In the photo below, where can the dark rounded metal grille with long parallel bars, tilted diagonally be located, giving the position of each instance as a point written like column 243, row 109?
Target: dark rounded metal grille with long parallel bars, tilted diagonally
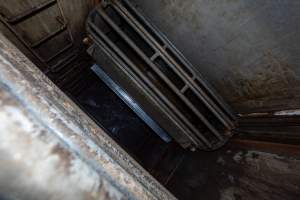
column 166, row 77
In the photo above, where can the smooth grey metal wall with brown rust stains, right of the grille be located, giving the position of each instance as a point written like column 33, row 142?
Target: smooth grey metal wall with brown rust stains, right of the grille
column 248, row 50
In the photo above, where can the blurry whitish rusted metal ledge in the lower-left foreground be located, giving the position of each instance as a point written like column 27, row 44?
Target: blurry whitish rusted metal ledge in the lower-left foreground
column 50, row 149
